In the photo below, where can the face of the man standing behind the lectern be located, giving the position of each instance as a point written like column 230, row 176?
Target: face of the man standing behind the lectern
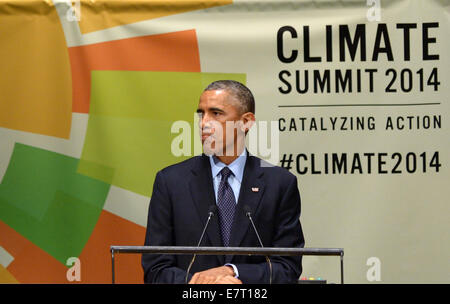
column 215, row 109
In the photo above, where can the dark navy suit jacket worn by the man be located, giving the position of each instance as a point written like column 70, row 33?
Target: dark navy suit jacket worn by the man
column 182, row 194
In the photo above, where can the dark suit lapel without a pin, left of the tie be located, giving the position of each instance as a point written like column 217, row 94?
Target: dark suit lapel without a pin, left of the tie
column 202, row 192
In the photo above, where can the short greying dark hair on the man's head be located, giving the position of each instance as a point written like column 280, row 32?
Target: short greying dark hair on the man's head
column 240, row 92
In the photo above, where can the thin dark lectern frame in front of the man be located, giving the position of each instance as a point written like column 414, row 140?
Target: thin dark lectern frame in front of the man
column 266, row 251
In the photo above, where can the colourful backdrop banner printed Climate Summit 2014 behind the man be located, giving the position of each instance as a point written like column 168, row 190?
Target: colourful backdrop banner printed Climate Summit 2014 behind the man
column 351, row 97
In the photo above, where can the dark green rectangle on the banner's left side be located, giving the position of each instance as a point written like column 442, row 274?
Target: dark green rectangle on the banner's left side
column 44, row 199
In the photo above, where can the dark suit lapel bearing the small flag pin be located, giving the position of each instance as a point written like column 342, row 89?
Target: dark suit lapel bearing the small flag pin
column 252, row 189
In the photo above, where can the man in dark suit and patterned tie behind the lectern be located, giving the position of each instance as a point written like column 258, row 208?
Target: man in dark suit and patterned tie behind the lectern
column 227, row 176
